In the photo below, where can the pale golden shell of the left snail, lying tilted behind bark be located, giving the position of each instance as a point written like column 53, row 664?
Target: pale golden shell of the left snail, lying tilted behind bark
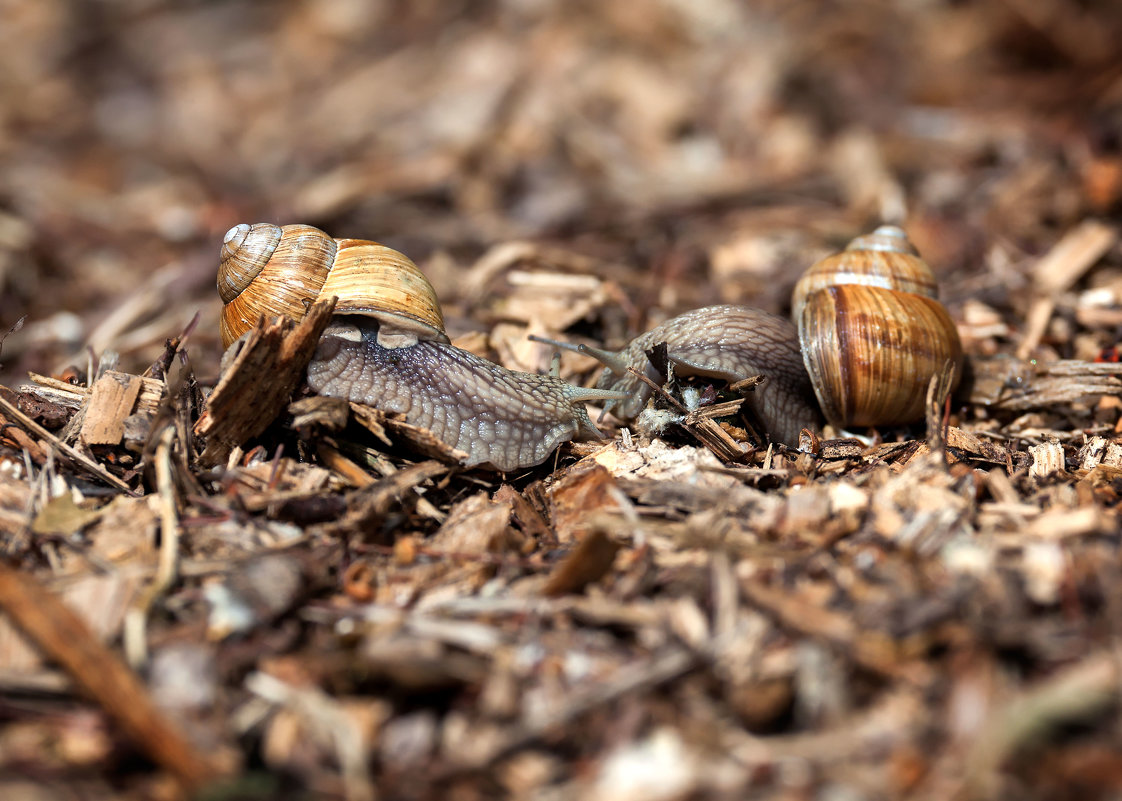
column 280, row 271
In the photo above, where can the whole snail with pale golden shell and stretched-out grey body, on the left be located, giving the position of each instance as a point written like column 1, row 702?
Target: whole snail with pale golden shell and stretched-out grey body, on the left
column 387, row 345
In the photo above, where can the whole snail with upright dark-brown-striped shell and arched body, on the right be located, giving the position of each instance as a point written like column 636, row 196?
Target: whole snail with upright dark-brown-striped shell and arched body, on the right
column 870, row 336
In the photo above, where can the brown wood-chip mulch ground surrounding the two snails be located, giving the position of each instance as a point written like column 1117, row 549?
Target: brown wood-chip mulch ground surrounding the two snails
column 299, row 600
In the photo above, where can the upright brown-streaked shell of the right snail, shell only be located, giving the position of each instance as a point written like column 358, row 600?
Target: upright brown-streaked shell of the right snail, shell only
column 872, row 332
